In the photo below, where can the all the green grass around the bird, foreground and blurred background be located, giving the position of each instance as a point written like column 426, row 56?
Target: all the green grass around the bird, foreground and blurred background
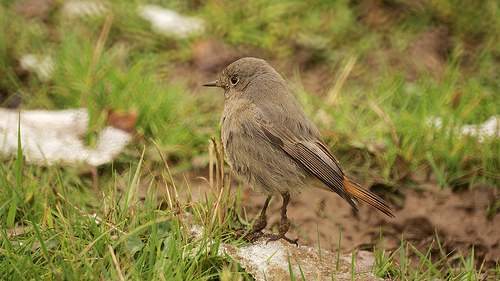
column 115, row 60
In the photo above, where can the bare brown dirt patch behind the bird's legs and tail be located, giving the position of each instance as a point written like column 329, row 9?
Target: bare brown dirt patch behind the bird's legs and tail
column 458, row 219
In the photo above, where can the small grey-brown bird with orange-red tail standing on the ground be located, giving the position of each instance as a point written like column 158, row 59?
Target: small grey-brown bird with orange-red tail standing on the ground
column 272, row 145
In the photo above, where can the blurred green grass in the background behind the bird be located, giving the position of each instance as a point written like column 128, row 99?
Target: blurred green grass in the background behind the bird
column 115, row 61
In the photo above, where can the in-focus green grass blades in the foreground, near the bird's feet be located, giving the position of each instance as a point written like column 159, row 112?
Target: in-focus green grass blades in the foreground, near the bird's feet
column 57, row 235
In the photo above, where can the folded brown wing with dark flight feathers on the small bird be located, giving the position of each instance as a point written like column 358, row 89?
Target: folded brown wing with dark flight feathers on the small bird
column 313, row 155
